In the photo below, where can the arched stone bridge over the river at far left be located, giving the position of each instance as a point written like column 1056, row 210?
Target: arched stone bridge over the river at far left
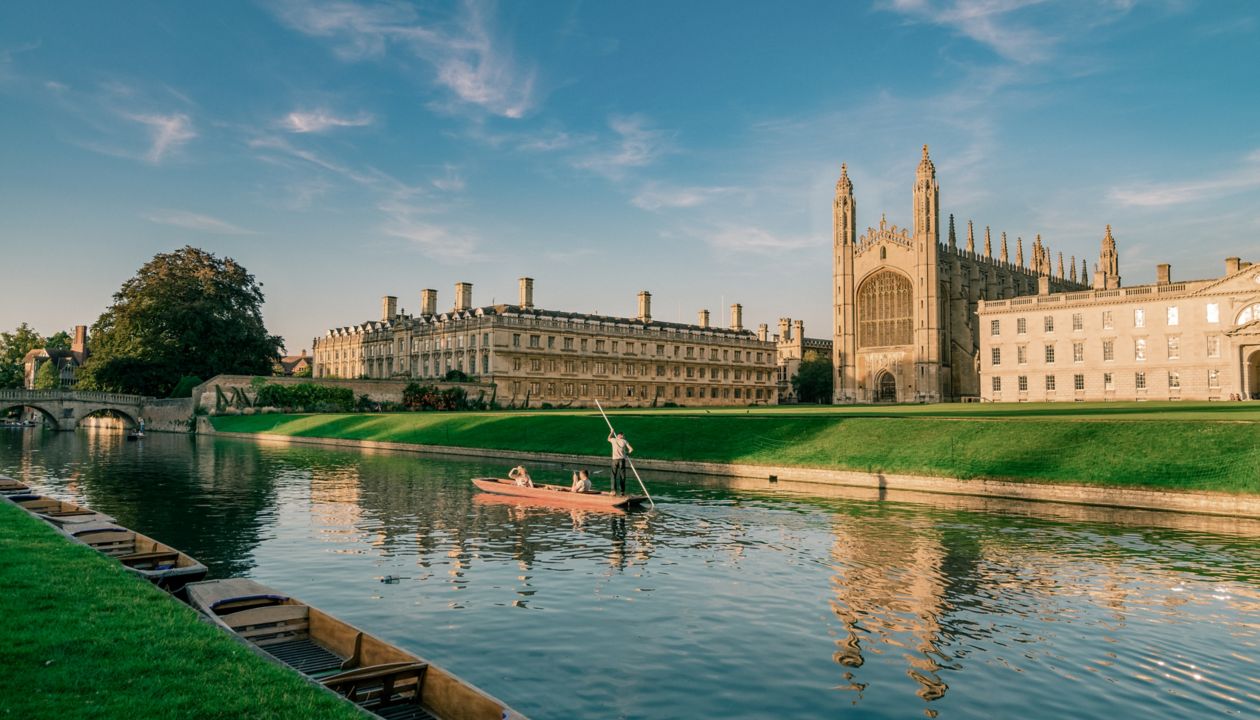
column 66, row 409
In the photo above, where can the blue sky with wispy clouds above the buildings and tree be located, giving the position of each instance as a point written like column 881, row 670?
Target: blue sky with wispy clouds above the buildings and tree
column 348, row 151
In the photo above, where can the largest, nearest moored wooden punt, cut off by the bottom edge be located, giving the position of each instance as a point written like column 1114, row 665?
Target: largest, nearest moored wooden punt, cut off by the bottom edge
column 372, row 674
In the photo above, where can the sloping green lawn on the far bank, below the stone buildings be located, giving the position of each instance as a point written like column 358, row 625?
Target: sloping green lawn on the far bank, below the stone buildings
column 1185, row 447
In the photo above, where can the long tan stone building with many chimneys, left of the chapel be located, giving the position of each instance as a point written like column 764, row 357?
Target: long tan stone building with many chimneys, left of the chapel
column 536, row 356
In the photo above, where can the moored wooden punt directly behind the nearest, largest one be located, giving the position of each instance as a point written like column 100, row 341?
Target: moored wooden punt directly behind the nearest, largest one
column 161, row 564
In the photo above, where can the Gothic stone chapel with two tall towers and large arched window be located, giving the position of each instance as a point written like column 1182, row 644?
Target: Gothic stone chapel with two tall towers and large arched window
column 905, row 303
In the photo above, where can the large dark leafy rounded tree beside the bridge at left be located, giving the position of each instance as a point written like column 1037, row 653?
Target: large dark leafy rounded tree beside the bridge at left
column 186, row 313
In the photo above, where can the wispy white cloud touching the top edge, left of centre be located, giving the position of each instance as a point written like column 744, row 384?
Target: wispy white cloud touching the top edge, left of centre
column 466, row 56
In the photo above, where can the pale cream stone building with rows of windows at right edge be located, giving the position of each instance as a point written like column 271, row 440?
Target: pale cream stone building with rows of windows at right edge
column 1198, row 340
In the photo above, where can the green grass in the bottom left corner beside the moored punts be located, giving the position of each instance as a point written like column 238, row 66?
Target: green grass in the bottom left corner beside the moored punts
column 85, row 639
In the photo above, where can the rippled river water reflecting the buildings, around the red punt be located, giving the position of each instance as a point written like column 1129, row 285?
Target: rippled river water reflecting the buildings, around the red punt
column 731, row 600
